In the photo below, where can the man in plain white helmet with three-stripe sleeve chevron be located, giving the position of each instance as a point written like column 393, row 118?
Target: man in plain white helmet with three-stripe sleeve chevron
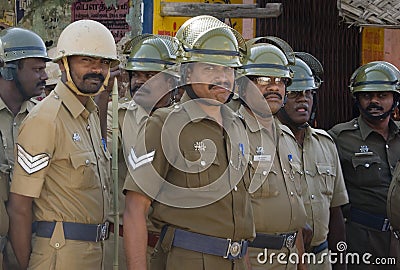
column 62, row 169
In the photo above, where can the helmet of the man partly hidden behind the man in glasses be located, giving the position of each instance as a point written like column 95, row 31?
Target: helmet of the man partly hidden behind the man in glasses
column 308, row 72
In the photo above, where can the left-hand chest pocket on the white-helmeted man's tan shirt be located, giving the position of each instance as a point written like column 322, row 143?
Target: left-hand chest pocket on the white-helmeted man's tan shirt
column 85, row 165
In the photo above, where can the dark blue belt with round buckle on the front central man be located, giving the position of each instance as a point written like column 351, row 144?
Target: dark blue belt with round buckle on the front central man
column 225, row 248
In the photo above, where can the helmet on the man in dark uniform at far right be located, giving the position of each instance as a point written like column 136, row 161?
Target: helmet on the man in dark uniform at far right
column 375, row 76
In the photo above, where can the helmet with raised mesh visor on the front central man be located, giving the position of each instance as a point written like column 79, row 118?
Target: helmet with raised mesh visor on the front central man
column 207, row 39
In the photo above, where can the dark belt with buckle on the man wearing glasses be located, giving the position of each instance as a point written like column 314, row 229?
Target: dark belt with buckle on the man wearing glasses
column 271, row 241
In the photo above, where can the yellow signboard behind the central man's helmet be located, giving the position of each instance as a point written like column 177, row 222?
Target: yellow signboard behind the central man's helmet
column 169, row 25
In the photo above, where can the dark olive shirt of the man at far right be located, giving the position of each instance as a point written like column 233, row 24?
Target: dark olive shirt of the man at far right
column 368, row 161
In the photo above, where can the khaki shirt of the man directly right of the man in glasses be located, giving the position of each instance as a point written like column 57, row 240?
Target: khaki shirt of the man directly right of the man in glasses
column 323, row 184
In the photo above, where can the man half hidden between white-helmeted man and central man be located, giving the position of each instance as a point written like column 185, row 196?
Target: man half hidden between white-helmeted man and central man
column 149, row 55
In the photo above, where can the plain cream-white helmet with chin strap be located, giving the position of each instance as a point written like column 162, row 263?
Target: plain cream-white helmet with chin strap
column 86, row 38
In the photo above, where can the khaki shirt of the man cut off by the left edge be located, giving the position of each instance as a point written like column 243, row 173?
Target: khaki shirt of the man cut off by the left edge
column 9, row 126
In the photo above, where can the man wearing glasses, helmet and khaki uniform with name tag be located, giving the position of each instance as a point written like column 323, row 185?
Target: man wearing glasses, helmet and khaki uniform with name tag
column 275, row 164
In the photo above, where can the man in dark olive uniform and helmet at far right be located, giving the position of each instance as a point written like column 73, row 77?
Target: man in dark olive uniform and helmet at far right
column 369, row 148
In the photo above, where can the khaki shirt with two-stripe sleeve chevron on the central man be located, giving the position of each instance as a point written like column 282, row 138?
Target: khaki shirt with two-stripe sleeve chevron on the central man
column 192, row 151
